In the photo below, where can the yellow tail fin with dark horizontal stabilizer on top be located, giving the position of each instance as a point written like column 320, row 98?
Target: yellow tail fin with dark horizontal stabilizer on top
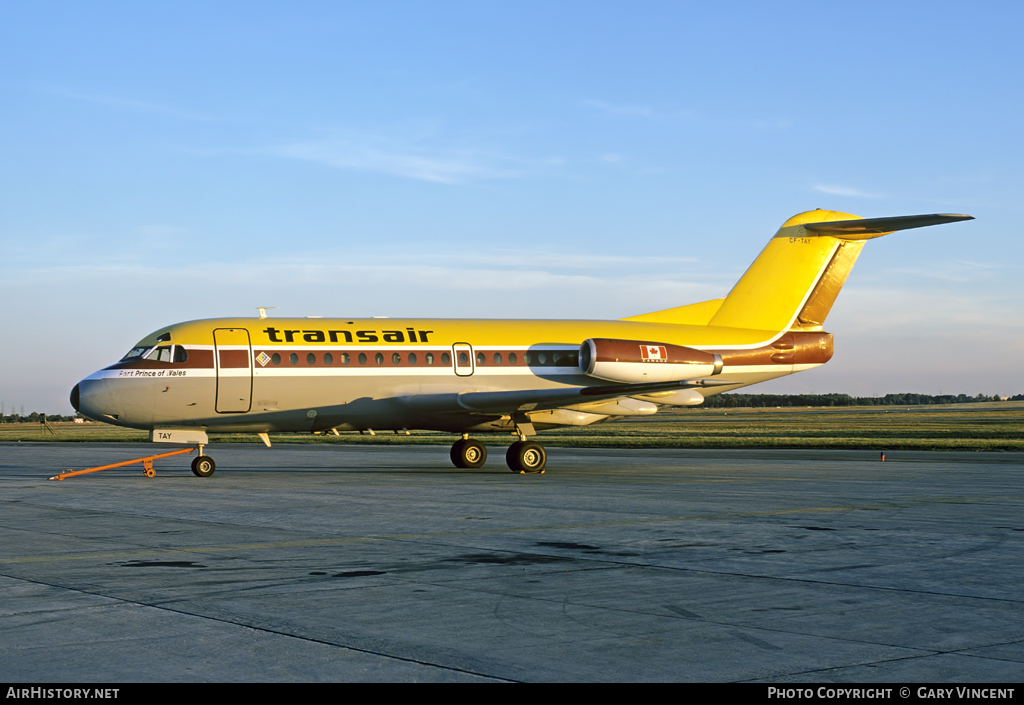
column 796, row 279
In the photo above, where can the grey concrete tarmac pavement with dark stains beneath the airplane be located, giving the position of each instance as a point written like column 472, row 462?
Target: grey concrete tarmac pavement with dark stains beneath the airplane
column 308, row 563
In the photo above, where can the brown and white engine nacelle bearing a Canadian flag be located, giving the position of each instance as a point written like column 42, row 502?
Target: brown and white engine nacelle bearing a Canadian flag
column 638, row 361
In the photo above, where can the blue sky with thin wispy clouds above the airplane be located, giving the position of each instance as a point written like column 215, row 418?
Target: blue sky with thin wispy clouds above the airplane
column 176, row 161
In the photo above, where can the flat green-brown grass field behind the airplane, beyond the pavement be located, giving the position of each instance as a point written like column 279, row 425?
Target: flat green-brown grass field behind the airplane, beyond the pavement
column 988, row 427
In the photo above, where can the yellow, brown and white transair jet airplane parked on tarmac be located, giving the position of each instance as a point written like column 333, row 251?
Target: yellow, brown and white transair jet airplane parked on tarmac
column 474, row 377
